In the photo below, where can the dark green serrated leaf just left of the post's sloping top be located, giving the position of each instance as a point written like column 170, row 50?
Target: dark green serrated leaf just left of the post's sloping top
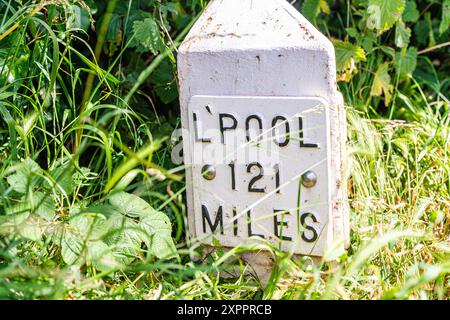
column 147, row 34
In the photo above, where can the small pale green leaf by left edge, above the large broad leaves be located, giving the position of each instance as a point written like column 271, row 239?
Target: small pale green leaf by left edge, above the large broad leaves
column 26, row 176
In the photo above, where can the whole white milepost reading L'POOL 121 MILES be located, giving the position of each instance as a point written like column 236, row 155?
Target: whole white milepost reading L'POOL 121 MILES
column 264, row 129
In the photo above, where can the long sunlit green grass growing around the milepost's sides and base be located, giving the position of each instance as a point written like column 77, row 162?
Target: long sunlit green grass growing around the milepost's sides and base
column 399, row 188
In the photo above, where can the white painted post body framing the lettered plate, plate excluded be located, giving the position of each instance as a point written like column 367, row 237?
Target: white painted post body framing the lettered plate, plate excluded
column 264, row 48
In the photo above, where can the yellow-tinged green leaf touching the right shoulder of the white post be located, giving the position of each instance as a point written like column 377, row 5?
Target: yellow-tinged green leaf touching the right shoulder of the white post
column 347, row 57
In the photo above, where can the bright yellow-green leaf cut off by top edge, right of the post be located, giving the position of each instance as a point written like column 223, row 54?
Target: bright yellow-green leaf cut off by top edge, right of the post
column 383, row 14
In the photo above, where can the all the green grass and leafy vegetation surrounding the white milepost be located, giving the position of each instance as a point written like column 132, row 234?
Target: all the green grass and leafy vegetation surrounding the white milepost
column 91, row 206
